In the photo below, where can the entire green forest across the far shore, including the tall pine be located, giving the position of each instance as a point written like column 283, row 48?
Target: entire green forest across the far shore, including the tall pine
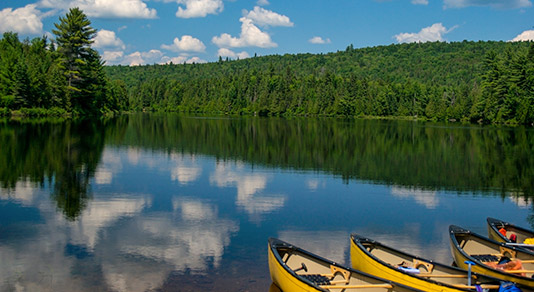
column 475, row 82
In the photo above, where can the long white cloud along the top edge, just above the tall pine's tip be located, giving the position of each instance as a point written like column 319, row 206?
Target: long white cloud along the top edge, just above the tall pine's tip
column 105, row 8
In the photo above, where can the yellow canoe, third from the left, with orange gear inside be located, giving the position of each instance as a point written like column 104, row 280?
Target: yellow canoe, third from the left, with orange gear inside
column 487, row 253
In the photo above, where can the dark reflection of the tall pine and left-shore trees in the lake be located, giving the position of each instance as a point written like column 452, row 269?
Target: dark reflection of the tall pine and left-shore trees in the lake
column 65, row 154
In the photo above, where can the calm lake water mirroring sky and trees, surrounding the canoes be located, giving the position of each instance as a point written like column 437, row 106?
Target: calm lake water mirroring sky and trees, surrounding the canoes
column 171, row 203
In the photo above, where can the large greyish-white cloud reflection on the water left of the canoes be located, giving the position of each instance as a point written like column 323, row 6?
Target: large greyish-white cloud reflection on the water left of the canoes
column 143, row 252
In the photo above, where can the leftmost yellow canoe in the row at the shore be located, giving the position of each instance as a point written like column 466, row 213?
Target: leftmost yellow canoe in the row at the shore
column 294, row 270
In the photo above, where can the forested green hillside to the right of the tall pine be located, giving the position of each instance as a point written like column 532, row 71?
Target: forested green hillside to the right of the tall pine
column 488, row 82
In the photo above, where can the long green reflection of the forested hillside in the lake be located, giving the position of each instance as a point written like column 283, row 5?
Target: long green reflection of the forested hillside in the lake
column 402, row 153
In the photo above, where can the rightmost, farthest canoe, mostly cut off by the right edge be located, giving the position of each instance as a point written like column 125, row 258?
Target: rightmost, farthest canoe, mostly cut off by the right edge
column 520, row 233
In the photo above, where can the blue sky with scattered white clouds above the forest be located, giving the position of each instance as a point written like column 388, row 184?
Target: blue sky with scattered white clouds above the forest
column 138, row 32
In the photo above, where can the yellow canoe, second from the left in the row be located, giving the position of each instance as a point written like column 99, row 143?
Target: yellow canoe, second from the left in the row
column 374, row 258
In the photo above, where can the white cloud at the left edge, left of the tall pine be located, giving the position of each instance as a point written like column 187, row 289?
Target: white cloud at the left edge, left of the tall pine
column 26, row 19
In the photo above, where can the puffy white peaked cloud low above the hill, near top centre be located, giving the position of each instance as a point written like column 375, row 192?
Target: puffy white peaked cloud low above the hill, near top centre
column 251, row 36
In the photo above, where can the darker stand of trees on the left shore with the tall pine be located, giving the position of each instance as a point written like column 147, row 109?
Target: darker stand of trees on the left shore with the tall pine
column 40, row 77
